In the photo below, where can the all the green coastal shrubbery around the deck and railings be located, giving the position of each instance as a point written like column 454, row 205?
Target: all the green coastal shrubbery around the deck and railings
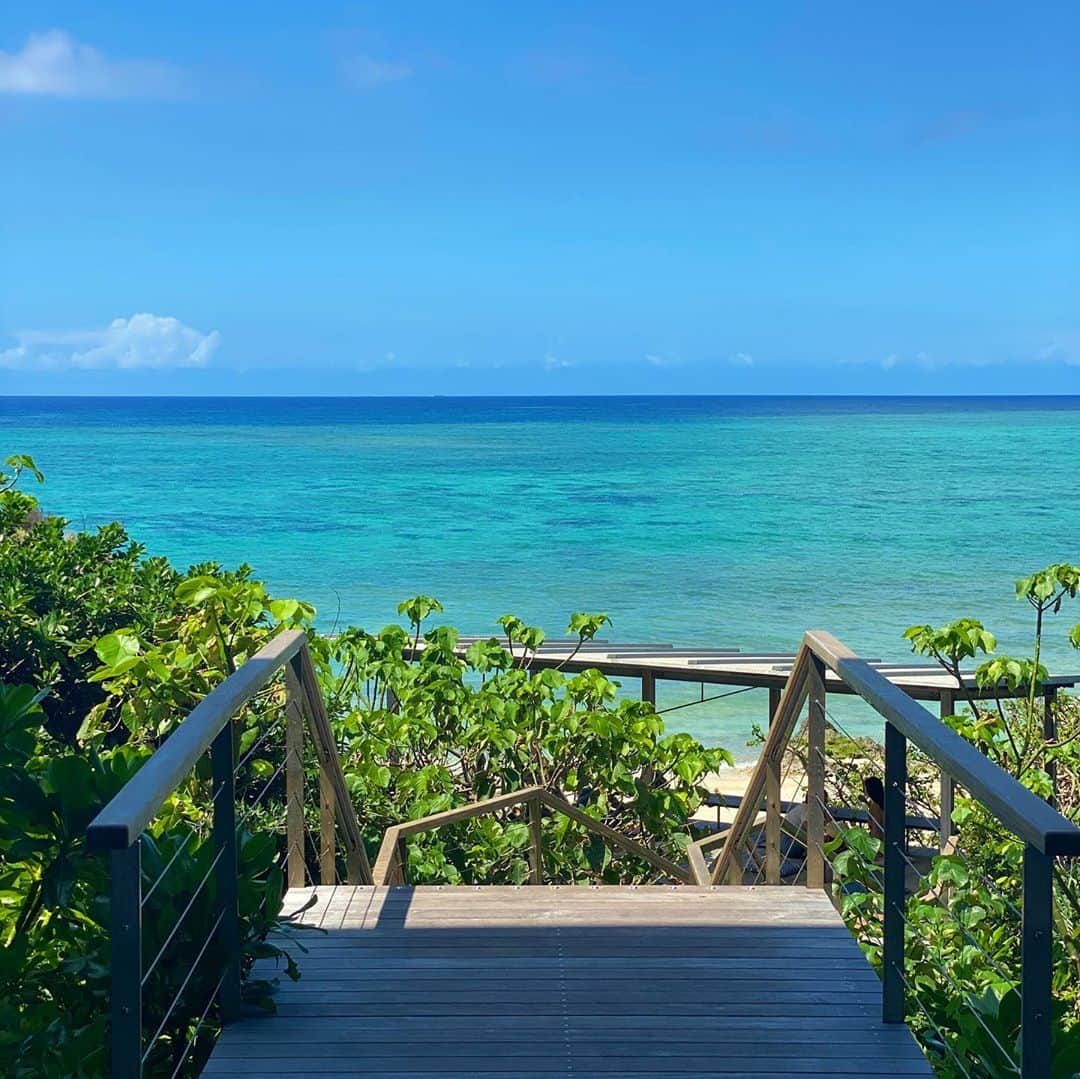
column 105, row 650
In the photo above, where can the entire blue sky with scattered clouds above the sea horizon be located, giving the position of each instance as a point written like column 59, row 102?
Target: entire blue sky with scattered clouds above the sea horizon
column 558, row 198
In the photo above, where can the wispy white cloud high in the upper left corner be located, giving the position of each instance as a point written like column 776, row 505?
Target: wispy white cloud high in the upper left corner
column 52, row 64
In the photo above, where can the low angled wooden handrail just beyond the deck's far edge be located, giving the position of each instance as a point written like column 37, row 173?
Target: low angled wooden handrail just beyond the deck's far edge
column 390, row 868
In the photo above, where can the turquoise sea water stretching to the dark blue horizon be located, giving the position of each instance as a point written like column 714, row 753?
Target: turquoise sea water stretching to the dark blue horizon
column 706, row 521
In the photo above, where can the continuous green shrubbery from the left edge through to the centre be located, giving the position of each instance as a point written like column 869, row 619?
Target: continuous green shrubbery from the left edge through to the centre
column 104, row 651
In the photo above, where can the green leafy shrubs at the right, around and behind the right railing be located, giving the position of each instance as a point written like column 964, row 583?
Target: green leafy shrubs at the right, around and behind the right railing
column 963, row 936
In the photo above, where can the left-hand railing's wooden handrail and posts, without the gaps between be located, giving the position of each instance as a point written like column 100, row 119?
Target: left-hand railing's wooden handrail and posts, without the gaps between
column 123, row 824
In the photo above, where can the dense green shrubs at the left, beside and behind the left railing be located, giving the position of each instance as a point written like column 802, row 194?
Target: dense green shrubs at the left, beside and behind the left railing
column 85, row 618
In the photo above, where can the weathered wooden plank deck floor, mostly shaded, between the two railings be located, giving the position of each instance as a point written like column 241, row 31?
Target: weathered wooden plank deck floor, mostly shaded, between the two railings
column 573, row 981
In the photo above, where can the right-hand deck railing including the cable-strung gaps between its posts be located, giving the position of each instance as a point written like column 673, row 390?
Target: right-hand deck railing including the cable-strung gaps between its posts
column 911, row 968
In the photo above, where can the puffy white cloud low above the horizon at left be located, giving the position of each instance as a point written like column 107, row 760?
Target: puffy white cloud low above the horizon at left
column 143, row 342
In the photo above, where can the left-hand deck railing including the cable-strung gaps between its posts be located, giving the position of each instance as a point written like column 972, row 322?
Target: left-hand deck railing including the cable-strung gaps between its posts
column 206, row 988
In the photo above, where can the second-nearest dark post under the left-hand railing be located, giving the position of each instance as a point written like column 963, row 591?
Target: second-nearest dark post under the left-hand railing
column 225, row 873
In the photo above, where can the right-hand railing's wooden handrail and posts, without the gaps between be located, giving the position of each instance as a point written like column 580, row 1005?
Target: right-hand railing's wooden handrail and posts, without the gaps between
column 1046, row 833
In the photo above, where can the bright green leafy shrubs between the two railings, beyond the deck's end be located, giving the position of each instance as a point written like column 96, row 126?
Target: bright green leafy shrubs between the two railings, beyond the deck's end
column 422, row 738
